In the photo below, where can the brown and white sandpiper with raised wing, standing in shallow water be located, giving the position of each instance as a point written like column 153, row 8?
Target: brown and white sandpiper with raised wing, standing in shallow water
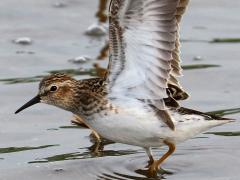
column 137, row 102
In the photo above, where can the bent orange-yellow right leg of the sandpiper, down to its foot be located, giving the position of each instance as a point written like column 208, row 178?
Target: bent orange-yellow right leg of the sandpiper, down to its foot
column 156, row 164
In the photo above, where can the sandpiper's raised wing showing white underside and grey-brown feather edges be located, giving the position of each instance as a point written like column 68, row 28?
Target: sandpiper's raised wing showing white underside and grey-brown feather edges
column 144, row 55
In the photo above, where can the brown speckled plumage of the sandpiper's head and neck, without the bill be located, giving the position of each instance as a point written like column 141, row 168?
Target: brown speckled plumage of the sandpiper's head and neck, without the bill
column 85, row 96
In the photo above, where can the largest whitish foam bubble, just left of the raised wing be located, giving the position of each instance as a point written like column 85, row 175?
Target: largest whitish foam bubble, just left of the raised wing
column 97, row 30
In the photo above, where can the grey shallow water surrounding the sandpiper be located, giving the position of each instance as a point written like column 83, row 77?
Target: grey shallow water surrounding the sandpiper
column 42, row 143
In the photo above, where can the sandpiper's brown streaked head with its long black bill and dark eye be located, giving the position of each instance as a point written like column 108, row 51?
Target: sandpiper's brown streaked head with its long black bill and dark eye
column 58, row 90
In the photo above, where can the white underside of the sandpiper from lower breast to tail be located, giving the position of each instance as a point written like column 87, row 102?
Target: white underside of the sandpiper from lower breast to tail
column 137, row 126
